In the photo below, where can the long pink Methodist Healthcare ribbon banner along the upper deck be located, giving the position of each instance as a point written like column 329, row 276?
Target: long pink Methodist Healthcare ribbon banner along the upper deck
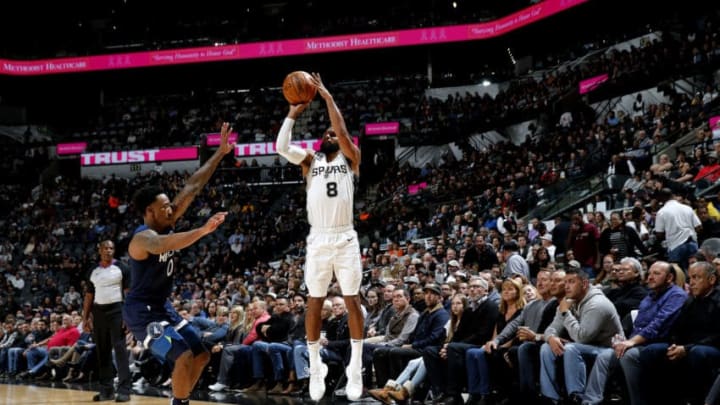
column 268, row 49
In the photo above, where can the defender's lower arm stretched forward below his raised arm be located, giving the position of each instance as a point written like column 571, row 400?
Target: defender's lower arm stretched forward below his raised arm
column 150, row 242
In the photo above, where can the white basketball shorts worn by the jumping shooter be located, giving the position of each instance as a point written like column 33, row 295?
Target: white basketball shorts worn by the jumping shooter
column 331, row 253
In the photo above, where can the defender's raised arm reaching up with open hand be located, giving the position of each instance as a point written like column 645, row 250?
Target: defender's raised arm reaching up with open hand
column 198, row 180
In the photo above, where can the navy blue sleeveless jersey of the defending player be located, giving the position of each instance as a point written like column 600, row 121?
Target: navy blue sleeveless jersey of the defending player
column 151, row 279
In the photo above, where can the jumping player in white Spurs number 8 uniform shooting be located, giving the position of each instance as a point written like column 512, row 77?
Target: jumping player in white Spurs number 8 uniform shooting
column 332, row 244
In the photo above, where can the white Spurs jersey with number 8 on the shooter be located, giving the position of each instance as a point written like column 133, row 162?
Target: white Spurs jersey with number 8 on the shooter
column 330, row 189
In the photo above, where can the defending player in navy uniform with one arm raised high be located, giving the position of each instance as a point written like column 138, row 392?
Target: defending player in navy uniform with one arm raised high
column 147, row 311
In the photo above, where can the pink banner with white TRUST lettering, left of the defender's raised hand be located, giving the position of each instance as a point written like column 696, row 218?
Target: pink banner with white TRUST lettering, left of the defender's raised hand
column 138, row 156
